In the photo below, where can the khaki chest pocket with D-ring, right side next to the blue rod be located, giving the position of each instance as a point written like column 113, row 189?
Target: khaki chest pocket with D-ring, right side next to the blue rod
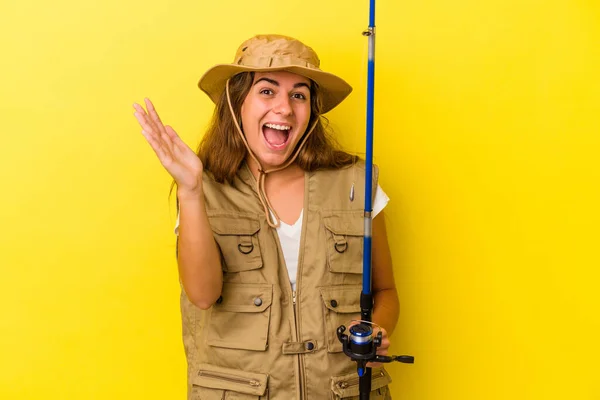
column 345, row 242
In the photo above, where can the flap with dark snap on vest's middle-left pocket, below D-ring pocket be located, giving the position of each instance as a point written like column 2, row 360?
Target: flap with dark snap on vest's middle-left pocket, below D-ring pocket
column 244, row 297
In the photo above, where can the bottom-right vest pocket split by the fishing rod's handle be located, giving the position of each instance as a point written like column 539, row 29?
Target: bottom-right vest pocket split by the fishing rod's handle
column 346, row 387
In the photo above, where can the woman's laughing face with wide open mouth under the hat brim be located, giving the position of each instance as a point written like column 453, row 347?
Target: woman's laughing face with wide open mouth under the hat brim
column 275, row 115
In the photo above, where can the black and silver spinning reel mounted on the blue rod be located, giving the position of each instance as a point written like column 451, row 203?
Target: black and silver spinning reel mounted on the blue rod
column 361, row 346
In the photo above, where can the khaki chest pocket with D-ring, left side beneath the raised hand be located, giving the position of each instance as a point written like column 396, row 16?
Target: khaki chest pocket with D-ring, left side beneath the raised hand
column 237, row 238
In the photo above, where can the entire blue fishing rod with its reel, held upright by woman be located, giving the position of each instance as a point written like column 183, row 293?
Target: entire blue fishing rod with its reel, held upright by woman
column 361, row 345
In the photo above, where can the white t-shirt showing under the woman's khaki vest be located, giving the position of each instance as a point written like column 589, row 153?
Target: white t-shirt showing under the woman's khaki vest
column 289, row 235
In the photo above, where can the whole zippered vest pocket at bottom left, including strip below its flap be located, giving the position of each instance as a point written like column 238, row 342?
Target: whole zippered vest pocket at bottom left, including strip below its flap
column 219, row 383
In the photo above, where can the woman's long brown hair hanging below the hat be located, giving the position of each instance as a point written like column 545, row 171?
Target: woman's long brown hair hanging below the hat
column 223, row 152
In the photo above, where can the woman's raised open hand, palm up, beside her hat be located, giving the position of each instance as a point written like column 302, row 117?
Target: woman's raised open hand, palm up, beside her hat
column 178, row 159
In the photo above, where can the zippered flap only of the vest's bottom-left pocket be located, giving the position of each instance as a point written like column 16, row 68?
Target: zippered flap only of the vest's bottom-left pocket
column 229, row 379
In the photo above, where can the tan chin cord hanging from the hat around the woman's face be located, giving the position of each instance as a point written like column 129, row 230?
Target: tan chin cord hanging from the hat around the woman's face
column 262, row 174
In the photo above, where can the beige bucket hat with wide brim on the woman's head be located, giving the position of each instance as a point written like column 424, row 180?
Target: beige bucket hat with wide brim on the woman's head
column 276, row 53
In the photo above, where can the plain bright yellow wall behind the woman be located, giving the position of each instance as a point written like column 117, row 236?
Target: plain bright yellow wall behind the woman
column 487, row 134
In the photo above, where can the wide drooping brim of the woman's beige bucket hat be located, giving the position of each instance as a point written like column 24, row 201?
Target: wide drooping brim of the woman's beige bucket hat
column 333, row 88
